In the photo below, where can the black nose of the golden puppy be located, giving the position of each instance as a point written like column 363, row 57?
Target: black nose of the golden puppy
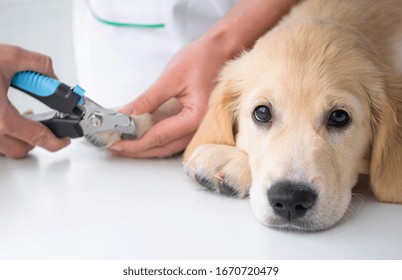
column 291, row 200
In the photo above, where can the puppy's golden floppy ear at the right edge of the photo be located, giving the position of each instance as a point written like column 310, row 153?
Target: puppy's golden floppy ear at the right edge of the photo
column 386, row 156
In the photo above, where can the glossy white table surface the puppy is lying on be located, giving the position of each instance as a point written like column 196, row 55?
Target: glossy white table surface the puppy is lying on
column 83, row 203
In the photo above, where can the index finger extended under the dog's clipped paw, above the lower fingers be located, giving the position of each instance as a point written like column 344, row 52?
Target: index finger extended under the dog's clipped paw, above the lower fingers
column 163, row 132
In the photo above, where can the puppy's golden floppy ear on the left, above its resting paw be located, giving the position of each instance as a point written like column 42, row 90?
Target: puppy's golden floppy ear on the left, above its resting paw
column 218, row 125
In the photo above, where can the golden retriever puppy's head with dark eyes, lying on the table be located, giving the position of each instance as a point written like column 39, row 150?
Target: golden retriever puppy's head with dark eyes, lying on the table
column 313, row 108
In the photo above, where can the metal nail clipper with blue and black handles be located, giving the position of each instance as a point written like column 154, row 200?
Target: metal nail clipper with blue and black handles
column 75, row 114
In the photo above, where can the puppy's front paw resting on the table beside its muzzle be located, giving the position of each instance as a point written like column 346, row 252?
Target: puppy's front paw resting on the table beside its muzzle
column 221, row 168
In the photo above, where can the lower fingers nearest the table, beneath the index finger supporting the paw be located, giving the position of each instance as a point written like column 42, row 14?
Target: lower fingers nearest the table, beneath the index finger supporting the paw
column 167, row 150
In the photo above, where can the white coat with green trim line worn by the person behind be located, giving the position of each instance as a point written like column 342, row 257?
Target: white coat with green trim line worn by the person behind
column 116, row 64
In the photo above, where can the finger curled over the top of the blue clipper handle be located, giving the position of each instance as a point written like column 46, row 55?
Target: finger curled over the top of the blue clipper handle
column 27, row 60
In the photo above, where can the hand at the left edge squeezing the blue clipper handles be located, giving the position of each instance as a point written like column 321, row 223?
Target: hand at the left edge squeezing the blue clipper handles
column 19, row 135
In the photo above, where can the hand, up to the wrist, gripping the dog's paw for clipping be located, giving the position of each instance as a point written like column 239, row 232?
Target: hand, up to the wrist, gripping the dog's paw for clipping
column 189, row 77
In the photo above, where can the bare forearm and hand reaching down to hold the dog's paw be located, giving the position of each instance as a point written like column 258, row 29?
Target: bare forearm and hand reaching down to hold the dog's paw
column 191, row 74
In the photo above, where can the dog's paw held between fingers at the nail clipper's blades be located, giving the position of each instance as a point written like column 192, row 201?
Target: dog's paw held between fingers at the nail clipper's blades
column 105, row 139
